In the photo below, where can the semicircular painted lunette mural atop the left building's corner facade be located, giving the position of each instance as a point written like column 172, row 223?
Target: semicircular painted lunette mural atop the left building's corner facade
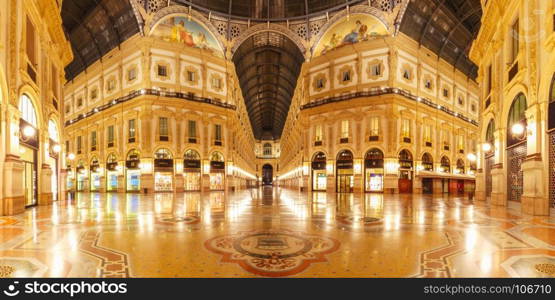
column 184, row 30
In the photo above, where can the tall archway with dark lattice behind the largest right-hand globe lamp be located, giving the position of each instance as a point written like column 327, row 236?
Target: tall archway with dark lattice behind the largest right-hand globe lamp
column 516, row 147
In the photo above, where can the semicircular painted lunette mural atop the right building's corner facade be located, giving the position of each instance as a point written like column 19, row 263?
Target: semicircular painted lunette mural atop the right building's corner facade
column 350, row 30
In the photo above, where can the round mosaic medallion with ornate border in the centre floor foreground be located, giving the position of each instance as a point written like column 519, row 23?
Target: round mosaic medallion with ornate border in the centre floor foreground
column 273, row 253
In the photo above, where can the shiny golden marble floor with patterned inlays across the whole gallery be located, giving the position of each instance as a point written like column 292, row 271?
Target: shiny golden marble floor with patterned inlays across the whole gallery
column 274, row 232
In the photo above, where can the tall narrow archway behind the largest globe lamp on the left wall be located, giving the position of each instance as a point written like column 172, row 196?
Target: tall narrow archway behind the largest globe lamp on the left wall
column 29, row 146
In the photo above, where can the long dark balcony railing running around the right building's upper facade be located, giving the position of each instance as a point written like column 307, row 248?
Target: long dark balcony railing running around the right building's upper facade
column 386, row 91
